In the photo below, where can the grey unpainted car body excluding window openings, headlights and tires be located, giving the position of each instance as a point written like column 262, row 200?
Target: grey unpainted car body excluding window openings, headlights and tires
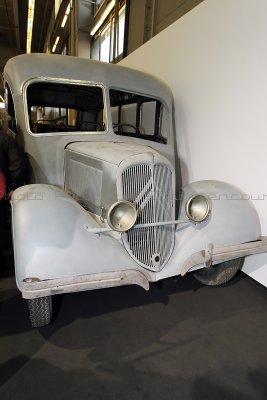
column 60, row 243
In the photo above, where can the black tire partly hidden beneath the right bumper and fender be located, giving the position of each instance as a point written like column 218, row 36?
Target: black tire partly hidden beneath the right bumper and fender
column 219, row 274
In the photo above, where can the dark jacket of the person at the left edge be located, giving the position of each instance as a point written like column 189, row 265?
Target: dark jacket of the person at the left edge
column 11, row 161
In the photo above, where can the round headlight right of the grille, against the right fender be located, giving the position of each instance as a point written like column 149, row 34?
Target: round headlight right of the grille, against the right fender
column 198, row 208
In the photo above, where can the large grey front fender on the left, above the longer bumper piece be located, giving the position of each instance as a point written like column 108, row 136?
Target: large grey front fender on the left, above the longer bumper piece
column 51, row 240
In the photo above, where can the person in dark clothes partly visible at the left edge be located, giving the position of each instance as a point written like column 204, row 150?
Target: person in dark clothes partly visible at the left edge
column 12, row 172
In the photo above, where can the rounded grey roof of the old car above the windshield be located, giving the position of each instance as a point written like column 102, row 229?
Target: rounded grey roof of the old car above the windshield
column 22, row 68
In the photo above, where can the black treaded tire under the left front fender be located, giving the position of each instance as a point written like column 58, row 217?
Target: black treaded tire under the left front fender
column 40, row 311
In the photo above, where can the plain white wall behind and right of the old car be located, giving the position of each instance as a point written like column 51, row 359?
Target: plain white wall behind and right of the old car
column 215, row 60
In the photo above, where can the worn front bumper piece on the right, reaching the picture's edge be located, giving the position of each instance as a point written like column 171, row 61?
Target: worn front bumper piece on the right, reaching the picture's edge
column 219, row 254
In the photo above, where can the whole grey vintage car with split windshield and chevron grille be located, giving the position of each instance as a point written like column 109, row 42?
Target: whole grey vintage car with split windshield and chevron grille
column 103, row 205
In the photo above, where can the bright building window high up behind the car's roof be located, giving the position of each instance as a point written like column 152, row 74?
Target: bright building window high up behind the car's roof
column 108, row 41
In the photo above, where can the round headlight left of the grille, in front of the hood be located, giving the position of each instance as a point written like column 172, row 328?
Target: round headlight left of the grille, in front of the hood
column 122, row 216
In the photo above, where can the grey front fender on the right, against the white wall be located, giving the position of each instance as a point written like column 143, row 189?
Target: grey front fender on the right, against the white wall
column 233, row 220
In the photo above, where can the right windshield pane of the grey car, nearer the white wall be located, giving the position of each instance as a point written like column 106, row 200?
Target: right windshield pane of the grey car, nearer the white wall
column 139, row 116
